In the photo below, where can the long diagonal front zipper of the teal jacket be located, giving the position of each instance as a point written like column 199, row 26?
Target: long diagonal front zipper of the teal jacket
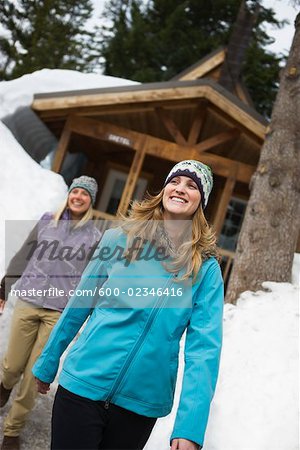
column 137, row 345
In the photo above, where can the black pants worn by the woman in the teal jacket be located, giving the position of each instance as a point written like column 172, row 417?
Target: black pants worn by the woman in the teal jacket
column 81, row 423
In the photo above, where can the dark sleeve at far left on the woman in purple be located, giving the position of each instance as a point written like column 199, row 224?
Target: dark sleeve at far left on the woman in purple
column 17, row 265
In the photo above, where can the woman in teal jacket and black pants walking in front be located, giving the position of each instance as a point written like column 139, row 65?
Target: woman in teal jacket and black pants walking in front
column 150, row 279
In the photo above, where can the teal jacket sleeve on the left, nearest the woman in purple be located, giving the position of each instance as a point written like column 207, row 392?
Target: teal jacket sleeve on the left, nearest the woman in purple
column 74, row 315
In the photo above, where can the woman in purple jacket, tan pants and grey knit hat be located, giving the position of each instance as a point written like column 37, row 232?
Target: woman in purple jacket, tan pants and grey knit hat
column 47, row 268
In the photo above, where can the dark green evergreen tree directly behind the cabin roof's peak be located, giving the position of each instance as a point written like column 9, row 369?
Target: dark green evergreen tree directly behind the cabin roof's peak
column 155, row 40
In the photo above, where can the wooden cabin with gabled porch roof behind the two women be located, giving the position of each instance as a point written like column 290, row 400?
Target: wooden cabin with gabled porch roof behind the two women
column 133, row 135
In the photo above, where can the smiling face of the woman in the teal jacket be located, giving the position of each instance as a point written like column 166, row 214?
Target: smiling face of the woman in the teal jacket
column 181, row 198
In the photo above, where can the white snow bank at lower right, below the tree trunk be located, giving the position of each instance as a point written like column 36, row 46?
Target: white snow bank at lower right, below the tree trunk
column 256, row 400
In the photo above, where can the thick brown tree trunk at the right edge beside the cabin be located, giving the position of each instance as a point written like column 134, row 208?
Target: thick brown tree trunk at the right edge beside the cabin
column 270, row 229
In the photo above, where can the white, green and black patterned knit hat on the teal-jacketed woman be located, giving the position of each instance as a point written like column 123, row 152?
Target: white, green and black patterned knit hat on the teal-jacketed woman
column 198, row 172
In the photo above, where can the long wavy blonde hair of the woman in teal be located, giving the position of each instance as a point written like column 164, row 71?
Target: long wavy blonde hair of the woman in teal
column 143, row 222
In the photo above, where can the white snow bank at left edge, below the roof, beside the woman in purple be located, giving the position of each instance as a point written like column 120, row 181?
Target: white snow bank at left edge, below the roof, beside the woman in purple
column 27, row 190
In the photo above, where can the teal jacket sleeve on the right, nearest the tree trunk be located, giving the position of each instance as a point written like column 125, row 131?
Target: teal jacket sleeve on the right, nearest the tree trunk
column 202, row 357
